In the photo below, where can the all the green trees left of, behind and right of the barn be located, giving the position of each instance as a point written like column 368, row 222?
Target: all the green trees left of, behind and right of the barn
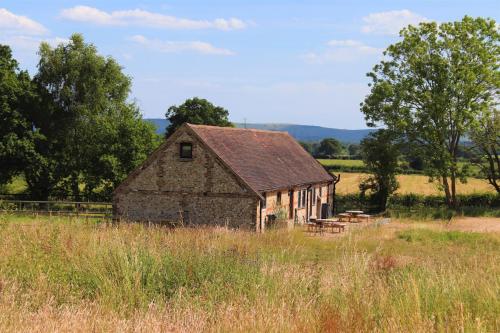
column 72, row 131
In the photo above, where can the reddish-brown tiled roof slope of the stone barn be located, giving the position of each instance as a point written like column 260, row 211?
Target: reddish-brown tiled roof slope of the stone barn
column 265, row 160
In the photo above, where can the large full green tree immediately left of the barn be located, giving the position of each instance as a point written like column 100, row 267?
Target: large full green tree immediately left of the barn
column 90, row 136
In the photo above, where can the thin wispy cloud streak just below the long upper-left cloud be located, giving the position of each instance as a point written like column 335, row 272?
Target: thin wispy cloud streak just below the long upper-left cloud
column 180, row 46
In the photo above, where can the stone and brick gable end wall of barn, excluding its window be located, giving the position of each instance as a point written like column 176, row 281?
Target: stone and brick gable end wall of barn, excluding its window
column 201, row 191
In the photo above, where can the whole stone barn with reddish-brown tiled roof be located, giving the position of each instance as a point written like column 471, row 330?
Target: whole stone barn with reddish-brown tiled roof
column 208, row 175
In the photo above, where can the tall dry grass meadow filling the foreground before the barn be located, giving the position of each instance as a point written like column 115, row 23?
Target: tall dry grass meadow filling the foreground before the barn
column 68, row 275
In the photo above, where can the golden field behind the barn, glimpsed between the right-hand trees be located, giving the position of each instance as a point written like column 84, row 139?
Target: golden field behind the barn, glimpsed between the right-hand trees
column 418, row 184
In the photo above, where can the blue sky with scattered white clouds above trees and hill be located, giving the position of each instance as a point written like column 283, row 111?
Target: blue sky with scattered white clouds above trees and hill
column 298, row 62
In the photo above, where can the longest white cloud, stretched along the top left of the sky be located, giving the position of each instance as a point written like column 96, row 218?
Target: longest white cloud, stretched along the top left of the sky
column 139, row 17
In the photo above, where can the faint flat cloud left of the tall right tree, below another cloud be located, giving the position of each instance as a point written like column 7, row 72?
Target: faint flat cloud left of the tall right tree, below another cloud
column 342, row 51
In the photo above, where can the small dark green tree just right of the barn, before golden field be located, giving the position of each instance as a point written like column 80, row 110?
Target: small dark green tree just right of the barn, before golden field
column 380, row 152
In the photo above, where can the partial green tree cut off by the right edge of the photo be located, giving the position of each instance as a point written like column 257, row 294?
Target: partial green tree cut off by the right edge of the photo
column 486, row 139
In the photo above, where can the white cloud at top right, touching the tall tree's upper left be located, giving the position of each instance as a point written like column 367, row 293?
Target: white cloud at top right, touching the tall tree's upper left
column 391, row 22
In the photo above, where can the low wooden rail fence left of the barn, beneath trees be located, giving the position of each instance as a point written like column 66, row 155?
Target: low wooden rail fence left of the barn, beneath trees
column 102, row 210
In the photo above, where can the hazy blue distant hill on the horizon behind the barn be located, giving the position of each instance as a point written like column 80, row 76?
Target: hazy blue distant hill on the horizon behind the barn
column 299, row 132
